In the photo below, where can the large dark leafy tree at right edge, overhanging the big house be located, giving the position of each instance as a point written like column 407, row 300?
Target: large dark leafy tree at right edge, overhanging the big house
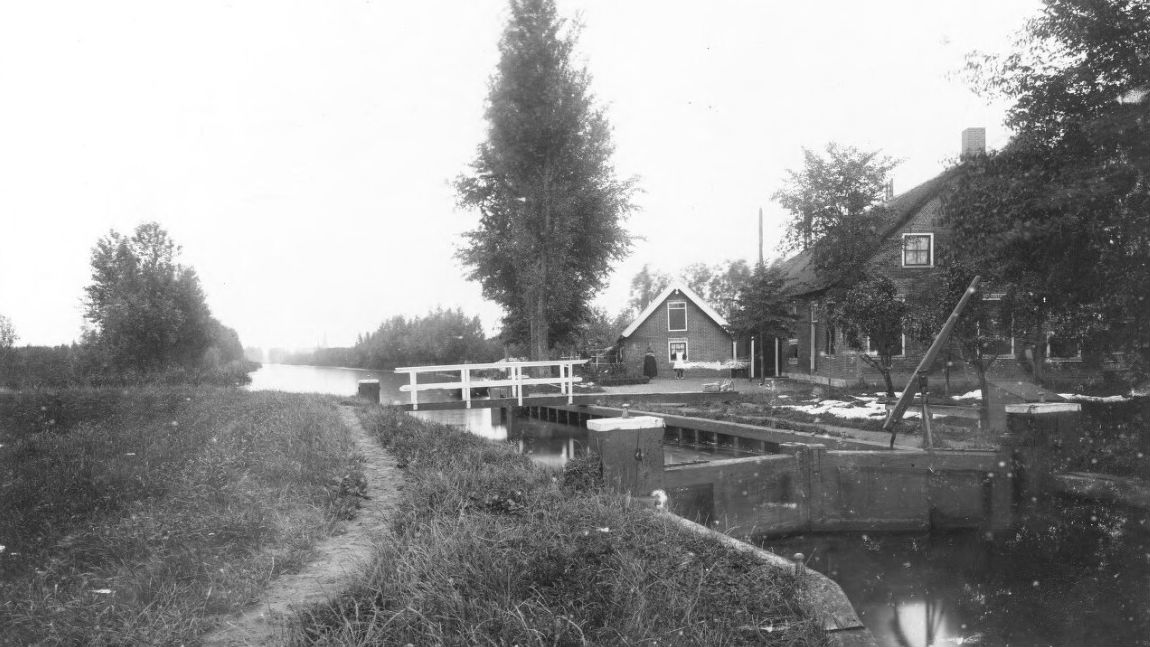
column 1061, row 218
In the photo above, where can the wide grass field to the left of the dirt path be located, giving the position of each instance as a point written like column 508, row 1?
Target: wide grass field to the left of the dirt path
column 134, row 517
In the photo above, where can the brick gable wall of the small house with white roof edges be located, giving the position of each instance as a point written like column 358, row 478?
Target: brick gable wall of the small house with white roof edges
column 707, row 341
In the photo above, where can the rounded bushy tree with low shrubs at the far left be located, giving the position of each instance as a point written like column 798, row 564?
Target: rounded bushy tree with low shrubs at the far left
column 148, row 321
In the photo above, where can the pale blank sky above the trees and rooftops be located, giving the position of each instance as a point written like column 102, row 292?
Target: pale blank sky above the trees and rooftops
column 303, row 153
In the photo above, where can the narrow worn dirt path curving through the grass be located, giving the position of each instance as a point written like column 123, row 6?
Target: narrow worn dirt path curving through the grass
column 340, row 561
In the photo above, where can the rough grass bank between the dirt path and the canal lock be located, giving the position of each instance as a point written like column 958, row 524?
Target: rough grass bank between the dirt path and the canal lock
column 490, row 549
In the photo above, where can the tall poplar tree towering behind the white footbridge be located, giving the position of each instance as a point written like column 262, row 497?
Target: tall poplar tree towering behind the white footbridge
column 551, row 209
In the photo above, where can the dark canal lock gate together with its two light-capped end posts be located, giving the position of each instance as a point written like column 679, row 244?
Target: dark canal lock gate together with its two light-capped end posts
column 809, row 488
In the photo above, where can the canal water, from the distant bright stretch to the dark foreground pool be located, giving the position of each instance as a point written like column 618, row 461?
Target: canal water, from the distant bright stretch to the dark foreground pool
column 1071, row 575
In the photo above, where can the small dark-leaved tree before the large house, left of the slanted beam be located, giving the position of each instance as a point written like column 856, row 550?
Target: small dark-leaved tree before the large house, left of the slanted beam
column 875, row 315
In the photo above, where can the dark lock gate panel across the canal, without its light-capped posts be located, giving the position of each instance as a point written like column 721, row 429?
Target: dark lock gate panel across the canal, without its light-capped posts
column 811, row 489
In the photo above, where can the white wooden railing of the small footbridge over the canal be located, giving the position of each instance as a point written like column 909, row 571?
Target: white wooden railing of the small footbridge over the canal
column 515, row 372
